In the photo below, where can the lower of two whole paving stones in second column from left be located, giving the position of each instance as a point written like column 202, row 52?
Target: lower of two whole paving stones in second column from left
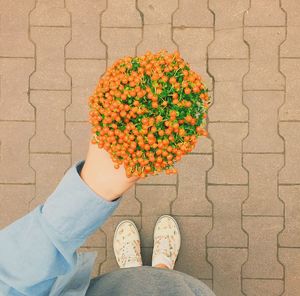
column 50, row 116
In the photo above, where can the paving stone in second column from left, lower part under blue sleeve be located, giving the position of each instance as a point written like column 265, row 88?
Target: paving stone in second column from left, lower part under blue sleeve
column 45, row 165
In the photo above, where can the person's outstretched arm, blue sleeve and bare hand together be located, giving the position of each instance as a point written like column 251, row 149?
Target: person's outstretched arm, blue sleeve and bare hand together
column 40, row 248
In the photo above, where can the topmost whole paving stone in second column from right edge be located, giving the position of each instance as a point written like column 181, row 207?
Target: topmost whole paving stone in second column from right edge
column 264, row 43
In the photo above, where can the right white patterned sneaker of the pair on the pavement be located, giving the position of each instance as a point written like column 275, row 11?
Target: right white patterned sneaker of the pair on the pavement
column 167, row 241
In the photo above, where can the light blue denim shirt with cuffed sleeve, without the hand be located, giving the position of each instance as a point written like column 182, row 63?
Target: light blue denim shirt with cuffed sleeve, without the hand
column 38, row 251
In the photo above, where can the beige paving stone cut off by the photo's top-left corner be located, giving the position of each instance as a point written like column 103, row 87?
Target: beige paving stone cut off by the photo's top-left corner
column 14, row 29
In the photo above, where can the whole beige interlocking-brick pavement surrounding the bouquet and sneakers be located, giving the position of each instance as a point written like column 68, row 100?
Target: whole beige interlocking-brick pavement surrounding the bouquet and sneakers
column 236, row 197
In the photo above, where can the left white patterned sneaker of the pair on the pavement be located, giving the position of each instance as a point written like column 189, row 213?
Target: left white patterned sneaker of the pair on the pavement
column 126, row 245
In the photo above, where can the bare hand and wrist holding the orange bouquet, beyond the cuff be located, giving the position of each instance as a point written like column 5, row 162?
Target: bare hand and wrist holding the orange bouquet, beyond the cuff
column 101, row 176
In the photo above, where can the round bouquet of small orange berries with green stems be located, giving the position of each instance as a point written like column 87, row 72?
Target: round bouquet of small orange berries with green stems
column 148, row 111
